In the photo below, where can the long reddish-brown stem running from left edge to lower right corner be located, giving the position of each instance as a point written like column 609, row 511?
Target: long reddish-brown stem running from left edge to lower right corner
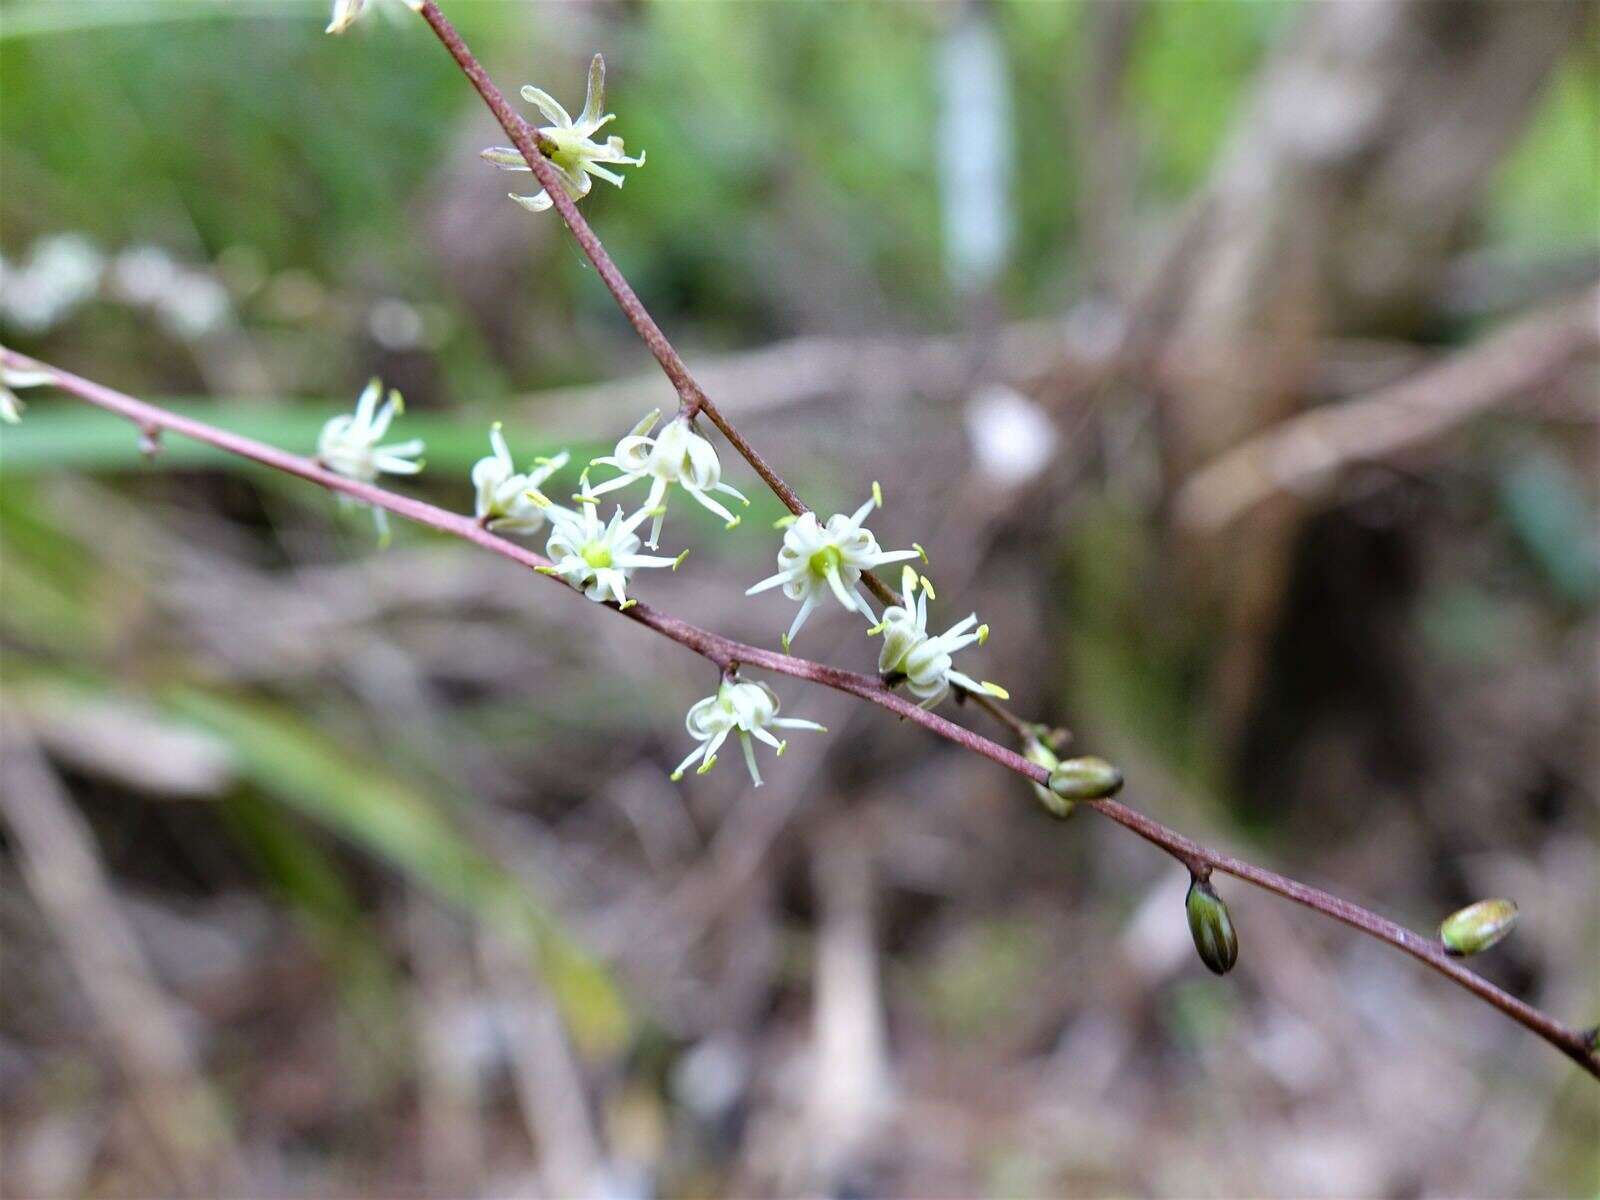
column 729, row 655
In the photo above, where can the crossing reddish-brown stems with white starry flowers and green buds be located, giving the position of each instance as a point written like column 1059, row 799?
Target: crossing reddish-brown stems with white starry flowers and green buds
column 350, row 447
